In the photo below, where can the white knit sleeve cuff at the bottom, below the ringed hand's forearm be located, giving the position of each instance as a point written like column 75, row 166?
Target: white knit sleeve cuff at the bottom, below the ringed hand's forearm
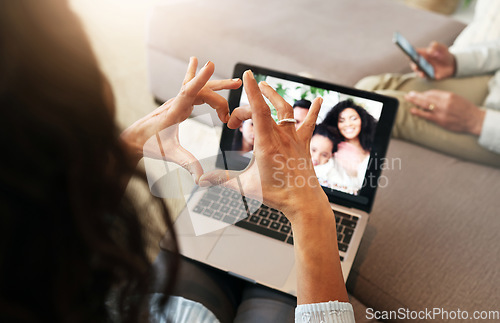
column 330, row 312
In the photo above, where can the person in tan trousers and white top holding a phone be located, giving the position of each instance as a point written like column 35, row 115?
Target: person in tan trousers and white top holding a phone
column 459, row 112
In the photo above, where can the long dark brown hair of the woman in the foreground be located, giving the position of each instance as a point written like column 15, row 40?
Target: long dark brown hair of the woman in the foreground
column 70, row 238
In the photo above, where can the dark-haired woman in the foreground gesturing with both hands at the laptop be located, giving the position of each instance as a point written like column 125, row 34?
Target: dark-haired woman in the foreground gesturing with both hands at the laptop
column 73, row 243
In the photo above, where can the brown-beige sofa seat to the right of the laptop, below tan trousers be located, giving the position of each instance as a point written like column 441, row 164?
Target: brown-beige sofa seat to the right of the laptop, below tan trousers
column 432, row 239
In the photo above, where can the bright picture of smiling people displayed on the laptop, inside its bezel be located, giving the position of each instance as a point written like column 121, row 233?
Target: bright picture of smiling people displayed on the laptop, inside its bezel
column 343, row 137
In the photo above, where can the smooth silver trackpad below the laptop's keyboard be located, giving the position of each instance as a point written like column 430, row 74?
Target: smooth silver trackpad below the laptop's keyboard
column 265, row 260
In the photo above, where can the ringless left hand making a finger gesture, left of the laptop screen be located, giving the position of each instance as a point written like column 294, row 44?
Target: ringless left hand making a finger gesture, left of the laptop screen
column 161, row 125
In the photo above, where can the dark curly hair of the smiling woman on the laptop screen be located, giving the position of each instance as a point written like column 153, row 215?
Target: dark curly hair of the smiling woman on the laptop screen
column 368, row 123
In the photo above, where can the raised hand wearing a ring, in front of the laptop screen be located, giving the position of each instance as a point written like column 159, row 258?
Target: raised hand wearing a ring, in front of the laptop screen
column 282, row 159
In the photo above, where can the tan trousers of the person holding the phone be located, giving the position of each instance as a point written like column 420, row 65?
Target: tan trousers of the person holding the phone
column 422, row 132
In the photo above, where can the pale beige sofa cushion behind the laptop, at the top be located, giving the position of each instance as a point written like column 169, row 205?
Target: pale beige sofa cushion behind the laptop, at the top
column 337, row 41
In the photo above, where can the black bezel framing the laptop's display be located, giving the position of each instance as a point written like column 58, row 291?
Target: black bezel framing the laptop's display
column 362, row 201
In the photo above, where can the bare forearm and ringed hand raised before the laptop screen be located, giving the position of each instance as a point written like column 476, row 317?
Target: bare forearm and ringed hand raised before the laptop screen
column 283, row 165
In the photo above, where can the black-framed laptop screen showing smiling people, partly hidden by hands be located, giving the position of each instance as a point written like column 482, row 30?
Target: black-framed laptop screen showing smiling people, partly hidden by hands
column 348, row 144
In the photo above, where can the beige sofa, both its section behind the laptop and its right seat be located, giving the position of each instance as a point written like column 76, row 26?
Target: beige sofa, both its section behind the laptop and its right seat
column 433, row 236
